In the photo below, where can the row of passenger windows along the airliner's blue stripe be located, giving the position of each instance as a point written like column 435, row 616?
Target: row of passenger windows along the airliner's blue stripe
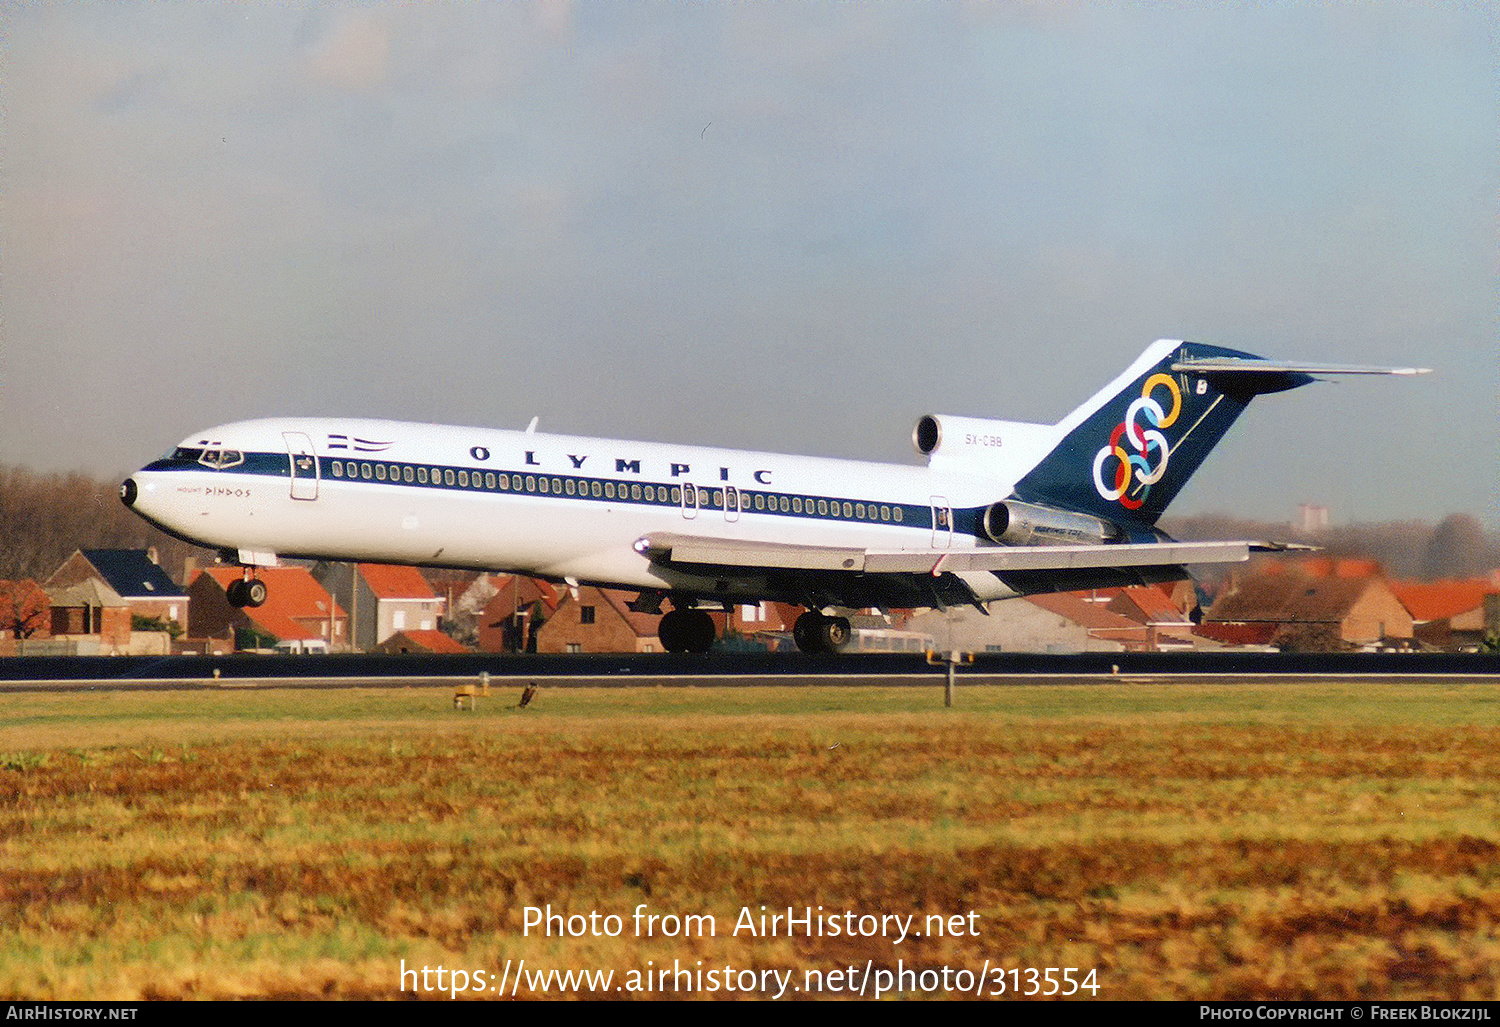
column 542, row 485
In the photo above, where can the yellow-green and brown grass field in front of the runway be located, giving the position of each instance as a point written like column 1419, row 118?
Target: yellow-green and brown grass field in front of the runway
column 1226, row 842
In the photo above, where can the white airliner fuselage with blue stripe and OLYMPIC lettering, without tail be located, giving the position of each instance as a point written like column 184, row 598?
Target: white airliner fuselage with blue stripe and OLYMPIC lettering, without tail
column 551, row 506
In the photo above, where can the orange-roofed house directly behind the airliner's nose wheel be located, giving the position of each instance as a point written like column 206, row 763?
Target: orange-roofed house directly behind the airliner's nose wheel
column 296, row 608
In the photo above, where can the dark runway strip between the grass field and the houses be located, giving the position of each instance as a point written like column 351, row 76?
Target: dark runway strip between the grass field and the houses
column 730, row 669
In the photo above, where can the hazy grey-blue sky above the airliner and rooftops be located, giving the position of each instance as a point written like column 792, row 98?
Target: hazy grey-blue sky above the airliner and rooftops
column 788, row 227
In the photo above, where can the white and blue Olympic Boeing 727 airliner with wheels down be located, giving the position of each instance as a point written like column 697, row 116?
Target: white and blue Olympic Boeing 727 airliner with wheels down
column 1001, row 509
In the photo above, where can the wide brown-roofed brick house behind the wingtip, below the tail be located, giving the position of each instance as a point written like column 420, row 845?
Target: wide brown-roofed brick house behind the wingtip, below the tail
column 1294, row 611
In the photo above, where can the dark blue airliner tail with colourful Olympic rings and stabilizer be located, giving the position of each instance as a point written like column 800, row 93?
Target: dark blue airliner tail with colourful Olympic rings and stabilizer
column 1127, row 452
